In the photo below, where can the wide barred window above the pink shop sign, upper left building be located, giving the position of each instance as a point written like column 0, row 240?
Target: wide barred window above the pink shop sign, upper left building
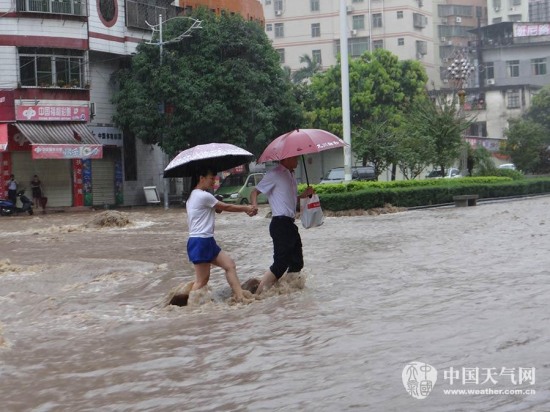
column 41, row 67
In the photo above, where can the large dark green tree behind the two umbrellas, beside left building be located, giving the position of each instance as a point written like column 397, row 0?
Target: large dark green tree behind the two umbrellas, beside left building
column 222, row 84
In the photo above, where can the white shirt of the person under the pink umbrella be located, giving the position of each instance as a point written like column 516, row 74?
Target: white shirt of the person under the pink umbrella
column 279, row 185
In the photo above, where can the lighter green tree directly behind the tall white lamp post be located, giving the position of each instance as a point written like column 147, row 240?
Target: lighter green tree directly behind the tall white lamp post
column 382, row 88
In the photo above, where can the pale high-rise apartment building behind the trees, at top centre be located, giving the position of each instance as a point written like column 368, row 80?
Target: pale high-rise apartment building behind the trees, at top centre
column 312, row 27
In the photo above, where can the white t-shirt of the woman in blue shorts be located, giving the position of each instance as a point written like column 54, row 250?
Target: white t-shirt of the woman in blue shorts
column 201, row 215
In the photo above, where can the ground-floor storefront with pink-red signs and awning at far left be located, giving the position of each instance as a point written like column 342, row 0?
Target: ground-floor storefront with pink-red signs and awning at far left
column 52, row 141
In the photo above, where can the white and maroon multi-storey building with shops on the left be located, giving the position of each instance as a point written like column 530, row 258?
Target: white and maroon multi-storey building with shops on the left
column 57, row 61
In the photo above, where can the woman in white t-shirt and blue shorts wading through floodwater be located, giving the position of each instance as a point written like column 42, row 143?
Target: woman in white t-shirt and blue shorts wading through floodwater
column 202, row 248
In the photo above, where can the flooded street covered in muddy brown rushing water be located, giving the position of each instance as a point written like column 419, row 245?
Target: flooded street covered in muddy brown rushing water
column 83, row 326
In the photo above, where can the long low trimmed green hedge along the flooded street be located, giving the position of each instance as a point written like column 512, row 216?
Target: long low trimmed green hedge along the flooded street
column 411, row 193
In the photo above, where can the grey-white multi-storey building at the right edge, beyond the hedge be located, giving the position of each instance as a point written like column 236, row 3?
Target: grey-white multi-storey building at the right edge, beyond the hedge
column 514, row 67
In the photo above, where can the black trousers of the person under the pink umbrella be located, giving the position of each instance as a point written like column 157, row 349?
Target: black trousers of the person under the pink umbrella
column 287, row 246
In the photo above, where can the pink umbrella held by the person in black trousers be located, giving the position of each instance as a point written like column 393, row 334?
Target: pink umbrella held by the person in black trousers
column 300, row 142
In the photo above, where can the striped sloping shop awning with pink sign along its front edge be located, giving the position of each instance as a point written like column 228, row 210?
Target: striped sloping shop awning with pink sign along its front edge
column 61, row 141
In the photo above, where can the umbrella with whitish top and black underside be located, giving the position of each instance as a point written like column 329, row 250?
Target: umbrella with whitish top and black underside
column 215, row 156
